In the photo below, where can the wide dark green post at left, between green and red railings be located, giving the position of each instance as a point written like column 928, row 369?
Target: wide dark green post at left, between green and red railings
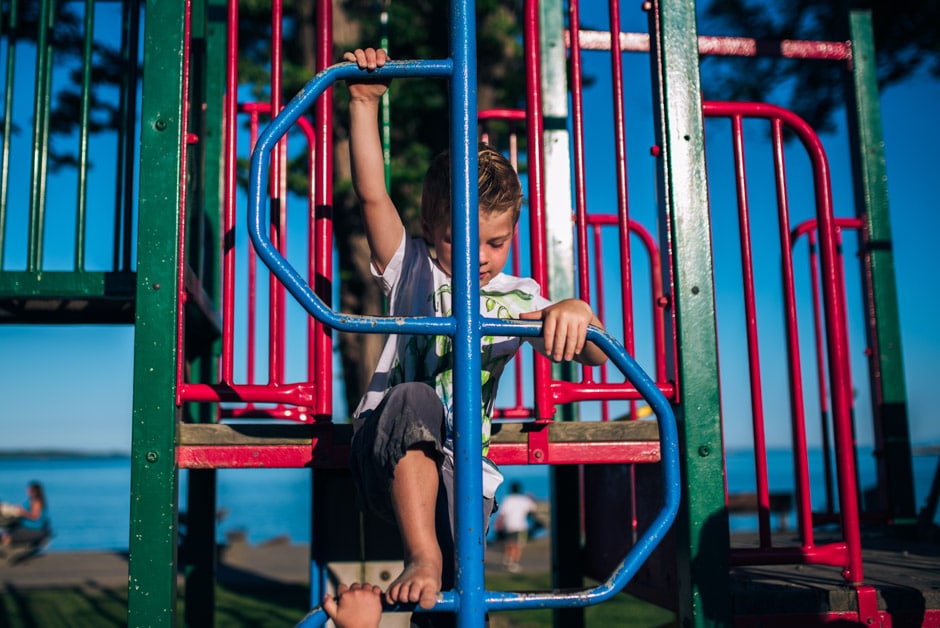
column 154, row 477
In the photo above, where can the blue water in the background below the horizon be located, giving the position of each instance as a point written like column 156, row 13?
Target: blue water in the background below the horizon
column 89, row 498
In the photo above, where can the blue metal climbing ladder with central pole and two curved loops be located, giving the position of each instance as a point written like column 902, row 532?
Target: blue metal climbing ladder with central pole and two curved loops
column 469, row 598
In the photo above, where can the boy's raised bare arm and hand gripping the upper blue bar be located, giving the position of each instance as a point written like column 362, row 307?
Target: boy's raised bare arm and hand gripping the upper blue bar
column 383, row 226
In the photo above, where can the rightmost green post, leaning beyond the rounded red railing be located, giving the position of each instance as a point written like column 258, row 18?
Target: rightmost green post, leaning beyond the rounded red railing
column 886, row 364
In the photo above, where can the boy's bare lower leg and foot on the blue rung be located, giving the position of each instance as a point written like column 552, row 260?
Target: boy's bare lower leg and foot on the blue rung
column 414, row 498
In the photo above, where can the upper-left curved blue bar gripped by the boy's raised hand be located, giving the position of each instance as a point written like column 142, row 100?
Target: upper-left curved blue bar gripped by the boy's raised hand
column 257, row 200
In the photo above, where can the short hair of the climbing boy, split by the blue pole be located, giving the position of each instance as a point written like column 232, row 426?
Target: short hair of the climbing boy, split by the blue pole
column 499, row 188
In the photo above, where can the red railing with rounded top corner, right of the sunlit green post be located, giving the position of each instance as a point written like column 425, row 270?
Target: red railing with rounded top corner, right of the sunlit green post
column 847, row 552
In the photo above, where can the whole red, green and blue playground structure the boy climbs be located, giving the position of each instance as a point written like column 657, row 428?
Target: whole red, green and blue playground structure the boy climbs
column 182, row 296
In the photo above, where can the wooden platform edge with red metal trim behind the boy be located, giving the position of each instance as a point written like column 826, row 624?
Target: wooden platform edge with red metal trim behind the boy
column 231, row 445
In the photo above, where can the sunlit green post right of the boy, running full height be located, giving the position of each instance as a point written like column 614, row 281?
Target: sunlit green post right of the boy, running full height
column 702, row 526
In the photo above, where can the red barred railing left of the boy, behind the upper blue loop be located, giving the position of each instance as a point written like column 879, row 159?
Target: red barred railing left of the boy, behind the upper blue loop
column 274, row 398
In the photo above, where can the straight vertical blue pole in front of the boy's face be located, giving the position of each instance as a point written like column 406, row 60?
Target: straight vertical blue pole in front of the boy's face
column 468, row 507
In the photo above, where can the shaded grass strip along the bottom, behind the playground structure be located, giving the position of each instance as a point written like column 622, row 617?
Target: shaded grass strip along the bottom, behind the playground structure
column 95, row 607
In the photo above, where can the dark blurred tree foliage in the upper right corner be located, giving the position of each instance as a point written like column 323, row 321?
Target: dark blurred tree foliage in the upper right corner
column 903, row 41
